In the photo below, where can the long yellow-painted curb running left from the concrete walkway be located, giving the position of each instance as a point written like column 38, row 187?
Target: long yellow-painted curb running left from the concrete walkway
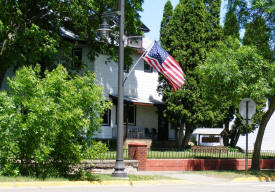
column 82, row 183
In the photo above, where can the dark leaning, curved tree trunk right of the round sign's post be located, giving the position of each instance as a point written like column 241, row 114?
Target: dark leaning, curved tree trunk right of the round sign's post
column 260, row 135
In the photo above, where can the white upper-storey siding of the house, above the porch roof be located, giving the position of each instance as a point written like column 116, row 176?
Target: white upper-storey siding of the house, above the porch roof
column 139, row 84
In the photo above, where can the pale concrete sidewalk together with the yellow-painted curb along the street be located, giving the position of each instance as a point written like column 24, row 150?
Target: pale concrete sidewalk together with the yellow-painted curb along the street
column 176, row 178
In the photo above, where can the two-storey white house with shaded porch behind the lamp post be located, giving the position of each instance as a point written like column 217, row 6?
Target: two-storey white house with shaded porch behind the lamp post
column 140, row 96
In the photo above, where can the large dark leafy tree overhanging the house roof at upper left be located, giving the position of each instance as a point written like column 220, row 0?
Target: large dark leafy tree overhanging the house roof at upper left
column 30, row 30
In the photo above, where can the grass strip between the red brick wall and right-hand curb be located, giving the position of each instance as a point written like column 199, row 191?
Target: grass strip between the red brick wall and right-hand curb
column 234, row 173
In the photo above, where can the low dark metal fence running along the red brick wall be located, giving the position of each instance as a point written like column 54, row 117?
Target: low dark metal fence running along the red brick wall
column 189, row 154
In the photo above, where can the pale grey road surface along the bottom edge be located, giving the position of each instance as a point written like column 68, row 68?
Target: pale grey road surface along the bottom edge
column 217, row 187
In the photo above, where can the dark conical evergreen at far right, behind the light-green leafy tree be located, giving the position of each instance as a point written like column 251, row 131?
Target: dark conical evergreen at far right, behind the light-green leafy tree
column 257, row 34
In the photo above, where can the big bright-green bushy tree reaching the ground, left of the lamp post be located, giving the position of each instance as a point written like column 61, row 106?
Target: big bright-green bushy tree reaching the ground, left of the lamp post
column 47, row 123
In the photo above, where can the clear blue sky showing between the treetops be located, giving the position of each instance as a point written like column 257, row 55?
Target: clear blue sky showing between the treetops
column 153, row 12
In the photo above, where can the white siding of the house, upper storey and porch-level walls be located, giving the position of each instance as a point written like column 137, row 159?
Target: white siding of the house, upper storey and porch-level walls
column 139, row 85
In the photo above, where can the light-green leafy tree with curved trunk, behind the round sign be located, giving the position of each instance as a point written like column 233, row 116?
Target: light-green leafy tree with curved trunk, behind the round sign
column 235, row 72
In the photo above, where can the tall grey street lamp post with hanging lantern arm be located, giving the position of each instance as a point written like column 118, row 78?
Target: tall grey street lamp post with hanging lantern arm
column 104, row 29
